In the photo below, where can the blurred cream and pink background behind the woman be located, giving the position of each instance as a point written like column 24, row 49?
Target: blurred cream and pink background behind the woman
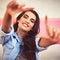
column 43, row 7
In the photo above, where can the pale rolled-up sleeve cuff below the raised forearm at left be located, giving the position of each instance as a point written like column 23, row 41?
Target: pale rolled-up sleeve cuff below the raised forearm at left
column 3, row 35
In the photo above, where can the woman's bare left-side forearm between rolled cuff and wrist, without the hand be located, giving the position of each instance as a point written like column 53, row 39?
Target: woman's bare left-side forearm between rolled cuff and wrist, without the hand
column 6, row 23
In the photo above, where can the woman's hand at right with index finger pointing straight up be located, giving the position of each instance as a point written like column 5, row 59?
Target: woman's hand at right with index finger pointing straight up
column 51, row 32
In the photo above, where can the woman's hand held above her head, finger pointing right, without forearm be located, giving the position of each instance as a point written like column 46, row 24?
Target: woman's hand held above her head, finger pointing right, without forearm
column 13, row 8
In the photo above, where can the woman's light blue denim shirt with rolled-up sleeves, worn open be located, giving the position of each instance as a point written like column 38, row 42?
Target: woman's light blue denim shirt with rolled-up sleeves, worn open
column 11, row 45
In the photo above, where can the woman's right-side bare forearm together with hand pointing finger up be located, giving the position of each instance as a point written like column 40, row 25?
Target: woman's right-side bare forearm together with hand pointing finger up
column 52, row 38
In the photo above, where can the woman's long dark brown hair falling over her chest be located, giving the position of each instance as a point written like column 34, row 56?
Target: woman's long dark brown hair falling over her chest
column 29, row 46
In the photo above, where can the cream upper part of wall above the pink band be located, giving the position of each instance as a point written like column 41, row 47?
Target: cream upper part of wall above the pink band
column 43, row 7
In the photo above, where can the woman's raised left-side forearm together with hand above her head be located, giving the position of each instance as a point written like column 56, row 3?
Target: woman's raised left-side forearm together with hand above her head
column 12, row 9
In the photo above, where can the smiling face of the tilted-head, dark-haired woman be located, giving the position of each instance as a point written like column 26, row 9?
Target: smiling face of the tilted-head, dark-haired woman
column 27, row 21
